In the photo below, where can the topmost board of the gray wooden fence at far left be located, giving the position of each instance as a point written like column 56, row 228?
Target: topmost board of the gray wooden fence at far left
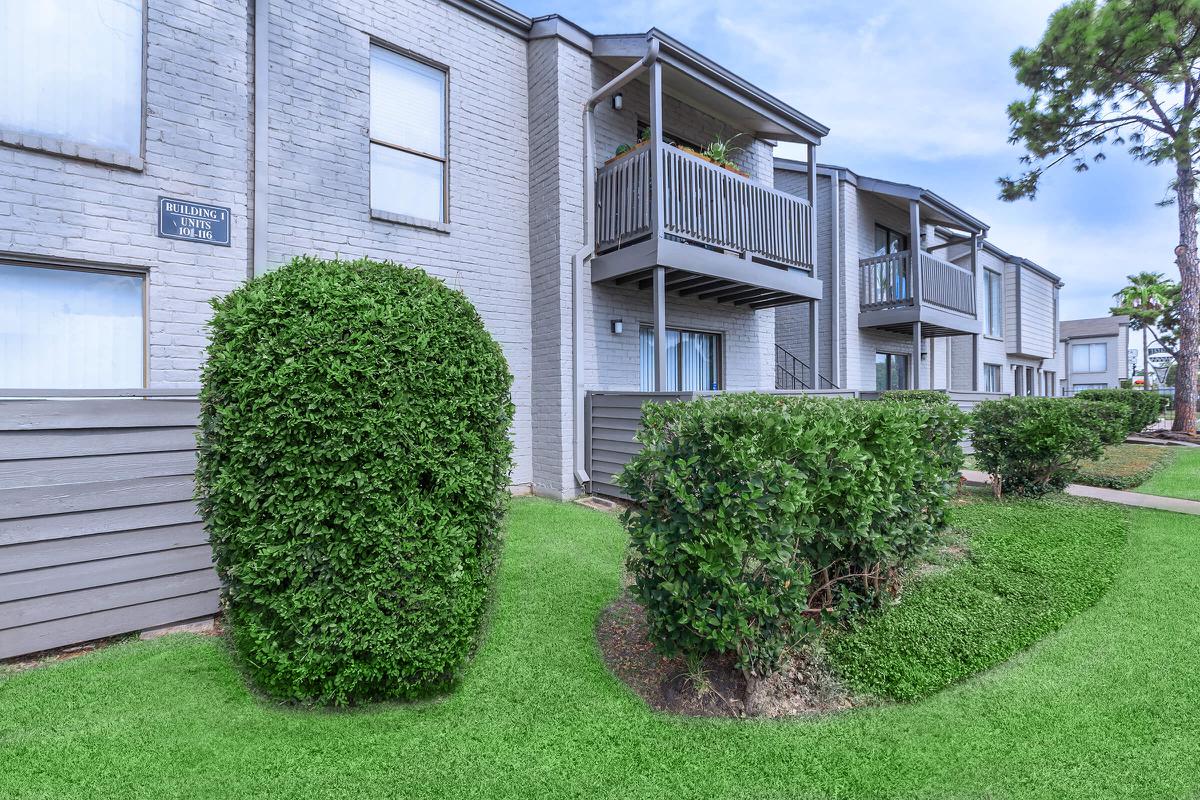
column 119, row 413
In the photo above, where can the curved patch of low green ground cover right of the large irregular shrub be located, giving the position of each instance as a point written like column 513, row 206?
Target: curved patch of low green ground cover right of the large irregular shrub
column 1019, row 584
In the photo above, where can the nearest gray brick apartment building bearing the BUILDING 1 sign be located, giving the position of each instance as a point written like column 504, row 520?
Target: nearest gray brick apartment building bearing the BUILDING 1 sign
column 551, row 175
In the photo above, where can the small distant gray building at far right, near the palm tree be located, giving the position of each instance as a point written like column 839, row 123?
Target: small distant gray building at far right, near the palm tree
column 1094, row 353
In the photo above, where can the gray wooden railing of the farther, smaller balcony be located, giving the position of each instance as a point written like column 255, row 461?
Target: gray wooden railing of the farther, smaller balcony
column 886, row 284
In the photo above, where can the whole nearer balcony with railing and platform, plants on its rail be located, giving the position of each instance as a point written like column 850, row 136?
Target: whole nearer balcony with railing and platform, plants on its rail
column 722, row 237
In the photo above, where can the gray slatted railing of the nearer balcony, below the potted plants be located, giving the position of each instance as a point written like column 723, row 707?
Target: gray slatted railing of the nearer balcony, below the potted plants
column 705, row 204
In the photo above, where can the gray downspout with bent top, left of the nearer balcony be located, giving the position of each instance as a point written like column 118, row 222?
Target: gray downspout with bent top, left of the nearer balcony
column 589, row 250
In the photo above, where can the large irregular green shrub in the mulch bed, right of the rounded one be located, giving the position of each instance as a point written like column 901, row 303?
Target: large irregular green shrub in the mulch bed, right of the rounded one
column 753, row 509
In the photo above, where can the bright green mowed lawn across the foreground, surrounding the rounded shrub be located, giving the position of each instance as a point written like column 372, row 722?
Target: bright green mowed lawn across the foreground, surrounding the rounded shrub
column 1103, row 708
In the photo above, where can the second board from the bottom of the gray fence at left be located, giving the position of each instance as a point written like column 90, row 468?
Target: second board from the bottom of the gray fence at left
column 86, row 601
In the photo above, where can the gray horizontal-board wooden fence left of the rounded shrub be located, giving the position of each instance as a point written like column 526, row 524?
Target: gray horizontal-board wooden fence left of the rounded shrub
column 99, row 531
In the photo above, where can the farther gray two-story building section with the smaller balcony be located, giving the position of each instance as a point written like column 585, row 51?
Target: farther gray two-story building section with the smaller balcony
column 916, row 297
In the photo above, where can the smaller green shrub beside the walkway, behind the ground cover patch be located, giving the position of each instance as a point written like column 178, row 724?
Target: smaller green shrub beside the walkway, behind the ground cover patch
column 1033, row 446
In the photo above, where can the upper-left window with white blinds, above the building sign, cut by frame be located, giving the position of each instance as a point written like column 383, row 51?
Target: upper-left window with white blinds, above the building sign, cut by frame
column 71, row 70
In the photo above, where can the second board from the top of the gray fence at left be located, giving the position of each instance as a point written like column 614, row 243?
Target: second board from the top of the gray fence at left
column 17, row 446
